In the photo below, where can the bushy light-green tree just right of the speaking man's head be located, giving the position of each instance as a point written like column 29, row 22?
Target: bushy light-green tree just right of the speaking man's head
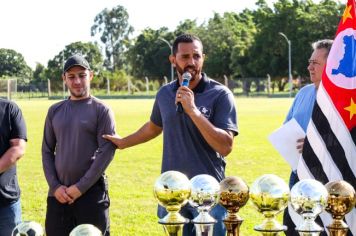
column 225, row 37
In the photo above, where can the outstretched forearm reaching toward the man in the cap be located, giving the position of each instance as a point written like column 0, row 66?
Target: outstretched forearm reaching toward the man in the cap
column 147, row 132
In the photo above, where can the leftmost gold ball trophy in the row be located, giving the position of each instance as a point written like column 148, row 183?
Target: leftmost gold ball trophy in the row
column 172, row 190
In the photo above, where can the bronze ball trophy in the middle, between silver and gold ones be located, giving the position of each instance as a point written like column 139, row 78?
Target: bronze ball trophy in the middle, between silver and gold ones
column 234, row 194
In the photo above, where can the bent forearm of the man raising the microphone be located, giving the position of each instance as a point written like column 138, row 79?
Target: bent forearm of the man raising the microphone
column 220, row 140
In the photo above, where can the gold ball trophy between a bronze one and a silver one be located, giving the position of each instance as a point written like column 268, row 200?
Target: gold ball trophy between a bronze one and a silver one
column 270, row 194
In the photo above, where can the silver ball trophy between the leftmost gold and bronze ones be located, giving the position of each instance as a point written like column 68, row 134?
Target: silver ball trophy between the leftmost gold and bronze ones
column 205, row 195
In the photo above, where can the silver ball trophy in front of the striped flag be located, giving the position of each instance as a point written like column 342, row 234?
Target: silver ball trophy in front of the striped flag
column 309, row 198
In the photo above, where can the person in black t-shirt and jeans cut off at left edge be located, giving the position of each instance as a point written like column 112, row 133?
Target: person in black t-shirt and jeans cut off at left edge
column 13, row 137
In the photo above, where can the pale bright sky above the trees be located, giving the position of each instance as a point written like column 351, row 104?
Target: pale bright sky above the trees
column 40, row 29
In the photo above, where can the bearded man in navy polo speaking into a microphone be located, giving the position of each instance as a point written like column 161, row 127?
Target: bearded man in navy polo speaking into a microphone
column 198, row 121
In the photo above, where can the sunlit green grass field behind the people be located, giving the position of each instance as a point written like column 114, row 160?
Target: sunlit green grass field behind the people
column 134, row 171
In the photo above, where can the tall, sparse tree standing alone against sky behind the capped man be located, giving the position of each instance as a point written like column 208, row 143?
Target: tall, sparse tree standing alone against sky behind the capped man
column 113, row 28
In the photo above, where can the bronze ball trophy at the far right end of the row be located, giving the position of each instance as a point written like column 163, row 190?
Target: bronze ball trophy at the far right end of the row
column 341, row 201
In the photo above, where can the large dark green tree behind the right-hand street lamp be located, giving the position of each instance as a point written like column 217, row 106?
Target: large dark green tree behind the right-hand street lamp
column 303, row 22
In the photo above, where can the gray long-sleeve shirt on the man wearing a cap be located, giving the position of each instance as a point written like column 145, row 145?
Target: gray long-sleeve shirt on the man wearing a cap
column 73, row 150
